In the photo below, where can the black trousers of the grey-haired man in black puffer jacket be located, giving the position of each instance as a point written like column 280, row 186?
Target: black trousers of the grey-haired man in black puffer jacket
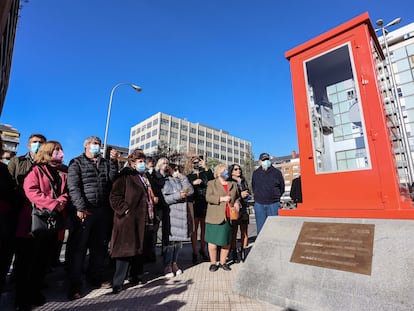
column 91, row 234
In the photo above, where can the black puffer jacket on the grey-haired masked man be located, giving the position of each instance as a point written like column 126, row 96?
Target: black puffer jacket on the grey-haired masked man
column 89, row 184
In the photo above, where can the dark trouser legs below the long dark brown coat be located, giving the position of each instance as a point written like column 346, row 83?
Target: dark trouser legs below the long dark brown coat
column 135, row 265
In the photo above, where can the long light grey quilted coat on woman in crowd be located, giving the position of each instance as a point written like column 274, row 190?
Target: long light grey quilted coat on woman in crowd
column 176, row 225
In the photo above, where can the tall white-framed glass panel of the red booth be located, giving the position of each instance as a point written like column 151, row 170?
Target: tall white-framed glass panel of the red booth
column 338, row 127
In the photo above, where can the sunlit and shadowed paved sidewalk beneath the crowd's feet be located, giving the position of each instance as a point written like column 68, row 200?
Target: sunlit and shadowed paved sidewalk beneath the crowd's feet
column 196, row 289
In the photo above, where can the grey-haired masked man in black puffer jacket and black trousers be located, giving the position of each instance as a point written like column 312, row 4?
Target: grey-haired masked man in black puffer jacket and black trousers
column 90, row 179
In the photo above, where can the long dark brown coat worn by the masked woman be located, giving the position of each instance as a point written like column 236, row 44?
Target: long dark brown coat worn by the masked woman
column 128, row 199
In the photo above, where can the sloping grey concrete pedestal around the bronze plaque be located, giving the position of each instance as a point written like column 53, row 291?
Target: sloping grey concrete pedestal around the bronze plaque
column 268, row 274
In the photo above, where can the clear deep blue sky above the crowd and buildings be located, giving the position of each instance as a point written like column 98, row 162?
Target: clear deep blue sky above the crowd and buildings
column 217, row 62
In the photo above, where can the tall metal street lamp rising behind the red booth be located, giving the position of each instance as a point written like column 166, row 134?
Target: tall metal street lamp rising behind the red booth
column 407, row 149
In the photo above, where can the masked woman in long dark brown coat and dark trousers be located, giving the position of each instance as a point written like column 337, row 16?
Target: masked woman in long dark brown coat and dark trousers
column 132, row 202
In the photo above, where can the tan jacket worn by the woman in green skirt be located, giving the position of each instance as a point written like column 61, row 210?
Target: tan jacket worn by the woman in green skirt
column 216, row 210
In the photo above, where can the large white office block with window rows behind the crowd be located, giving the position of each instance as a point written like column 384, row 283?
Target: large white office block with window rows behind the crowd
column 181, row 135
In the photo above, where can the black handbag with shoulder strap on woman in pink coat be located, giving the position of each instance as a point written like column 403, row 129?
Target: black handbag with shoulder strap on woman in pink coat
column 45, row 221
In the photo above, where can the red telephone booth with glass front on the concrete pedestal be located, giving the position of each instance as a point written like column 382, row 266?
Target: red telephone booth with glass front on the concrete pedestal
column 348, row 165
